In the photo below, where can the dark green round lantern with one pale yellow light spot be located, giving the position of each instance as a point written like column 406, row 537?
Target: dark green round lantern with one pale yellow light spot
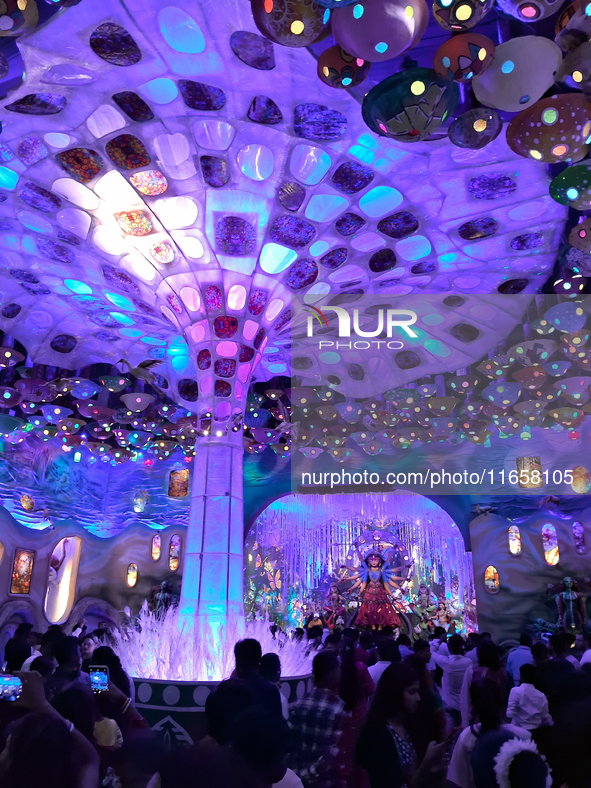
column 411, row 105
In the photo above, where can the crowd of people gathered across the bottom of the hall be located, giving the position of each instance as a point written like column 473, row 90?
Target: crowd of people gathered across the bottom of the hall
column 384, row 712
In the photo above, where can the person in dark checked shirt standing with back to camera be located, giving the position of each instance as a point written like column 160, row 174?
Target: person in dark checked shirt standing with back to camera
column 317, row 724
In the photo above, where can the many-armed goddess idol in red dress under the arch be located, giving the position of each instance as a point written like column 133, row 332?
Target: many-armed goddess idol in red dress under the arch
column 377, row 567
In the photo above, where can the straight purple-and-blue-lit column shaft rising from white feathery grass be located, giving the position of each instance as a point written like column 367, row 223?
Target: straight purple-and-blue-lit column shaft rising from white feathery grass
column 213, row 565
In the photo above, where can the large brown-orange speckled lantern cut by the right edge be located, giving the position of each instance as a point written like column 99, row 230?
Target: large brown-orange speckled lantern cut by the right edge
column 554, row 129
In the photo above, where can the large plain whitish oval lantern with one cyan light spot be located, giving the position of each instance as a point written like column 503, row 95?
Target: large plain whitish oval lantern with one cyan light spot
column 521, row 72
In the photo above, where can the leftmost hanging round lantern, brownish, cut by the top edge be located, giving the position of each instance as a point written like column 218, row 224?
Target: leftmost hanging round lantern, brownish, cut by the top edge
column 291, row 23
